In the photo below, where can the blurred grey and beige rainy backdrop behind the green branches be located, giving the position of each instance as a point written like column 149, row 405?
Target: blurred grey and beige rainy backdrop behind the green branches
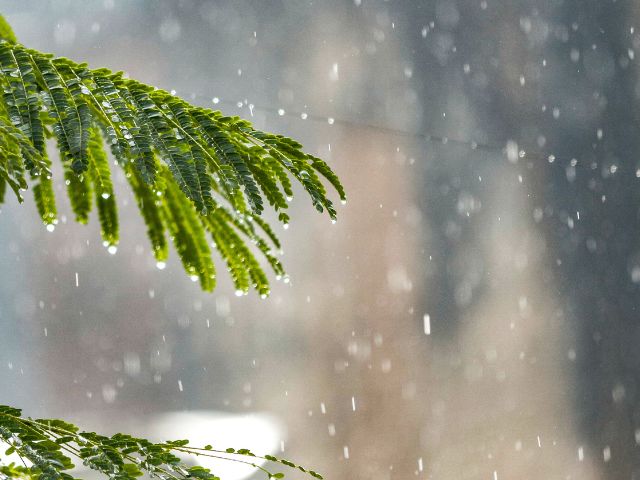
column 474, row 313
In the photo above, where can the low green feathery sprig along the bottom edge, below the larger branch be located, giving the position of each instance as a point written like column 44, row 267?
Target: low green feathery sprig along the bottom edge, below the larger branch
column 46, row 448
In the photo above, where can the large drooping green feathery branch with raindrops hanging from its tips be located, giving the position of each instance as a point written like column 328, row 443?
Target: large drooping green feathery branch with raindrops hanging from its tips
column 200, row 178
